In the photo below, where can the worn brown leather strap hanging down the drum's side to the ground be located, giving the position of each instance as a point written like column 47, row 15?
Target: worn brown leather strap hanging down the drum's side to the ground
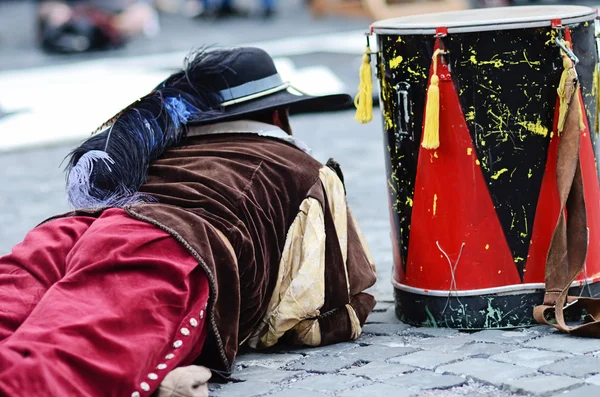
column 568, row 248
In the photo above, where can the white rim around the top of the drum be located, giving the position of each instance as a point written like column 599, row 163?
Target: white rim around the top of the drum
column 384, row 27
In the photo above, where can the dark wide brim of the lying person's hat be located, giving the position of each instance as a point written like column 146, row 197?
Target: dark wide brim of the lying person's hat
column 289, row 98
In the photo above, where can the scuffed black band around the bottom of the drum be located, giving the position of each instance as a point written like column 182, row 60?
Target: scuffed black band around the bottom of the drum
column 477, row 312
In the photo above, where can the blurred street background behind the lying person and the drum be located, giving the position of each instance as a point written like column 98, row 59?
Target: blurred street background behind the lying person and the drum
column 66, row 67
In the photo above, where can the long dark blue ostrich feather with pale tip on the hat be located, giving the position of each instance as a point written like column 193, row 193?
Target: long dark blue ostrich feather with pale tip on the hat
column 109, row 168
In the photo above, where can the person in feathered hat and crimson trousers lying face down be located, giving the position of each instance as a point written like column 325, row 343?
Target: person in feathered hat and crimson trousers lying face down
column 201, row 224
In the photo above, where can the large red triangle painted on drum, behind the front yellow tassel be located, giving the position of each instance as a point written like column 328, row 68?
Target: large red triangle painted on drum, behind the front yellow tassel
column 452, row 209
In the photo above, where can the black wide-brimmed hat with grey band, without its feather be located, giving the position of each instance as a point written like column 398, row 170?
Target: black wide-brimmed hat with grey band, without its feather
column 251, row 84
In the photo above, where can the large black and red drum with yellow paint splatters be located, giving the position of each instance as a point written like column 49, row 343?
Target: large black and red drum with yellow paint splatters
column 473, row 214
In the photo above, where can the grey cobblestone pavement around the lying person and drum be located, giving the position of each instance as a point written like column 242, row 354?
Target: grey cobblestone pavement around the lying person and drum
column 390, row 358
